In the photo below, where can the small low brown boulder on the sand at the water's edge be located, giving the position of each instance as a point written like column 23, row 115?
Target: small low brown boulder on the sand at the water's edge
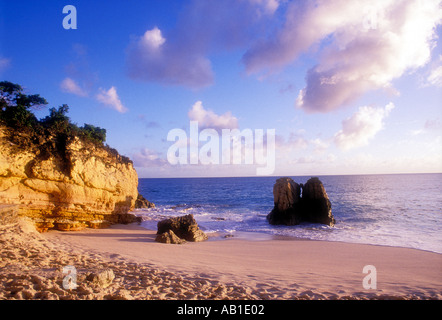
column 184, row 228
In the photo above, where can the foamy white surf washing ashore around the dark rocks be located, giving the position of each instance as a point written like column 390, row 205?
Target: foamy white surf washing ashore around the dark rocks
column 387, row 229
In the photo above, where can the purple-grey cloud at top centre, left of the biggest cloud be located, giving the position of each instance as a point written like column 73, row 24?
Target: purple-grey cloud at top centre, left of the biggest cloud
column 181, row 56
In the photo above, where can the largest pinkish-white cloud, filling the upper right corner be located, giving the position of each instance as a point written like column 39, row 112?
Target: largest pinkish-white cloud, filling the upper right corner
column 361, row 46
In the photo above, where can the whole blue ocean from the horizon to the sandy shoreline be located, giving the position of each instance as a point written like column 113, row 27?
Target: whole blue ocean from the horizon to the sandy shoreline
column 403, row 210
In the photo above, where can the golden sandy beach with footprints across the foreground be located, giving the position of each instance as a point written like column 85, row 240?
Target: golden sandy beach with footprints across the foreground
column 242, row 267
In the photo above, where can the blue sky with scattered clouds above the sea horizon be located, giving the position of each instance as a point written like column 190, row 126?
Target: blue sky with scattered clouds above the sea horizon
column 349, row 87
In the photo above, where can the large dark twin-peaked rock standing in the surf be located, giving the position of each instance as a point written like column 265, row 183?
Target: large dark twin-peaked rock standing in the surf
column 291, row 208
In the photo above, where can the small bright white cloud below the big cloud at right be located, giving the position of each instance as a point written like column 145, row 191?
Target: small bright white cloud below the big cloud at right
column 361, row 127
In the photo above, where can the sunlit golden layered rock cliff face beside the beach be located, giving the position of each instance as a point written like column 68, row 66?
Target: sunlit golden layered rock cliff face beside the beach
column 85, row 185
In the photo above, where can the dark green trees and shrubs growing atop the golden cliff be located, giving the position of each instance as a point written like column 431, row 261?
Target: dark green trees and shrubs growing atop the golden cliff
column 49, row 136
